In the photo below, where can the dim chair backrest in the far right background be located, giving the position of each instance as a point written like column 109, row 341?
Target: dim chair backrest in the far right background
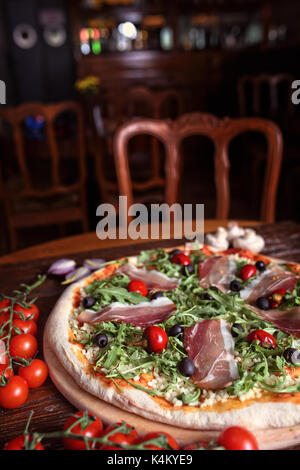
column 251, row 89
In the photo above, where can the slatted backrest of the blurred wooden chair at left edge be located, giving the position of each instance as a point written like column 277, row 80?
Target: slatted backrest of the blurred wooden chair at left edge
column 15, row 118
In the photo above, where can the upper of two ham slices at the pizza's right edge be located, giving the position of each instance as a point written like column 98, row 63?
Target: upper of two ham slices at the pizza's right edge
column 268, row 282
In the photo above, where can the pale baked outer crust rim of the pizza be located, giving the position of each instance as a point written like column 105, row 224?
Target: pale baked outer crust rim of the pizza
column 269, row 411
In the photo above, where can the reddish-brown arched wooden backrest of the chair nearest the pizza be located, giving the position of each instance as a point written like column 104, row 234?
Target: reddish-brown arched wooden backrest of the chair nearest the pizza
column 221, row 132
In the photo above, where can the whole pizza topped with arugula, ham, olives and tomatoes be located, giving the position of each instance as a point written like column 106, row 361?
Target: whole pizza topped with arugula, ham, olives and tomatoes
column 191, row 337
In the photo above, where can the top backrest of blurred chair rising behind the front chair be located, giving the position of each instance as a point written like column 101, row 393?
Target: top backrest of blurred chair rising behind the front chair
column 153, row 100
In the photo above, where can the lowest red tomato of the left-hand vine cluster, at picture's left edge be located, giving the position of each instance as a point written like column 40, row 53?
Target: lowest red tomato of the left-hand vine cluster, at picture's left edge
column 14, row 394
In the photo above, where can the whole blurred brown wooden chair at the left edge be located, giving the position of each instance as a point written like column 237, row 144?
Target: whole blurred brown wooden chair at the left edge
column 58, row 203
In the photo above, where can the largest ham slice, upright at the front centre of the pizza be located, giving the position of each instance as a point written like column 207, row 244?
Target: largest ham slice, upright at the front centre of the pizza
column 210, row 346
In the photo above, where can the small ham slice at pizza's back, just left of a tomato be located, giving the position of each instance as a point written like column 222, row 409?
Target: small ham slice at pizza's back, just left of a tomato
column 216, row 271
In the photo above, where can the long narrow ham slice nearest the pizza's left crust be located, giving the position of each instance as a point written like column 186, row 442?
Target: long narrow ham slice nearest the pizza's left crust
column 142, row 314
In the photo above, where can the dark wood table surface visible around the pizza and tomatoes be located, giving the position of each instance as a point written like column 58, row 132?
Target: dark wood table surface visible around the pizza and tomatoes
column 50, row 408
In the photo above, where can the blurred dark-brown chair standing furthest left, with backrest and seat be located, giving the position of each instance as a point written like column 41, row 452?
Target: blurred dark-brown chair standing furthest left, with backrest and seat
column 34, row 189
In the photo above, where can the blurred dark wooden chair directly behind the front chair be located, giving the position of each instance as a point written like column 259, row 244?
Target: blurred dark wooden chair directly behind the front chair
column 130, row 104
